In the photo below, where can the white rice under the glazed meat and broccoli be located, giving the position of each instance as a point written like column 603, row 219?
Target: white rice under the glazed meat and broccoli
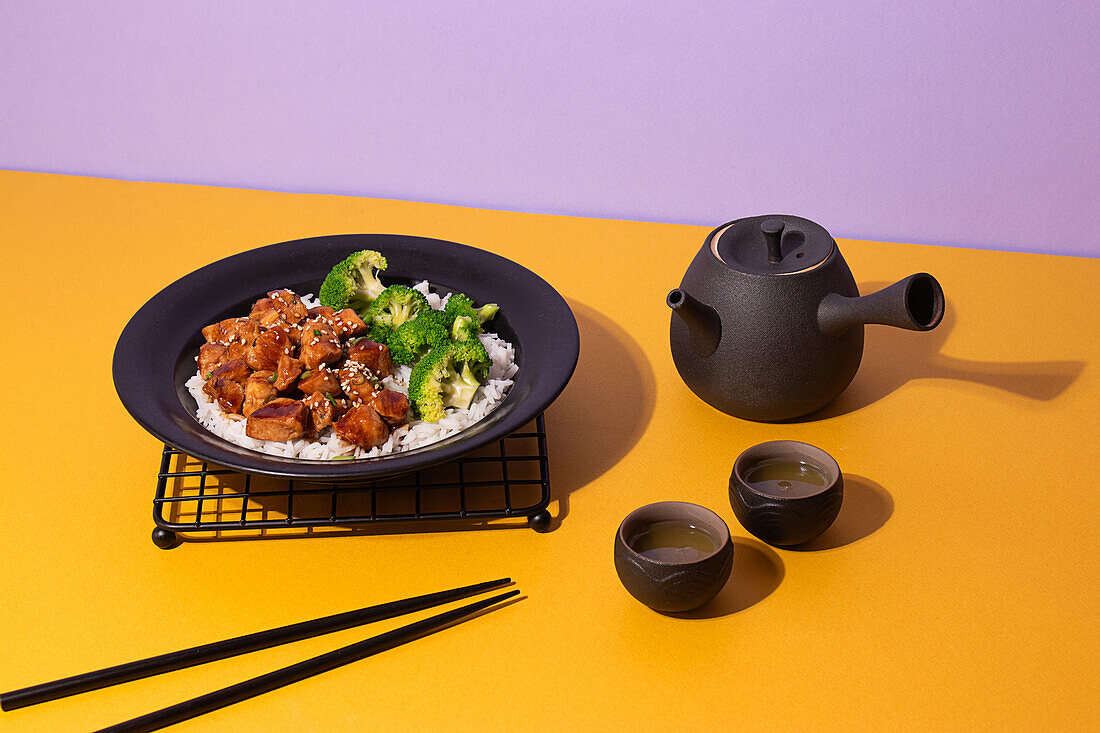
column 417, row 434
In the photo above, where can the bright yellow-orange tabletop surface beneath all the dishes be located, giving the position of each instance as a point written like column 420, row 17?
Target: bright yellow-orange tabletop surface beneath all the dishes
column 958, row 590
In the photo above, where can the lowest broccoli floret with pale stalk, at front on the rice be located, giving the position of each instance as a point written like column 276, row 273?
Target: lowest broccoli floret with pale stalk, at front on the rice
column 448, row 377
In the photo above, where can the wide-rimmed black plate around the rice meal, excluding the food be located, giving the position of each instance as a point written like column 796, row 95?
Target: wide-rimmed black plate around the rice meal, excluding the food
column 156, row 355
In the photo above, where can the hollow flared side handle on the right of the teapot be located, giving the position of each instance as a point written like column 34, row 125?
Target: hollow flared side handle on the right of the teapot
column 916, row 303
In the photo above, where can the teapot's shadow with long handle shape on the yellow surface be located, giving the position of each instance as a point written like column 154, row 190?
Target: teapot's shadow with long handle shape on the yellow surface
column 893, row 358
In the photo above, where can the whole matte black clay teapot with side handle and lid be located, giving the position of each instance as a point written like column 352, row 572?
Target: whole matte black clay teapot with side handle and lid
column 768, row 323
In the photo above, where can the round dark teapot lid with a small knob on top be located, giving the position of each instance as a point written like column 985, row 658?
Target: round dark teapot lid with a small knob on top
column 774, row 245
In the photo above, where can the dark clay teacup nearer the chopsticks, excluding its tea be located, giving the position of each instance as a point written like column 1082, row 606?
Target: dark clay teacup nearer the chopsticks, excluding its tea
column 672, row 587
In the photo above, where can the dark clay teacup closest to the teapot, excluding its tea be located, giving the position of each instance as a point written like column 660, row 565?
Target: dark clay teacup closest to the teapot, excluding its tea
column 793, row 519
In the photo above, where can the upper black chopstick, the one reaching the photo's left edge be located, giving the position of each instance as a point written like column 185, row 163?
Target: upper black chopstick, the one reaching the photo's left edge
column 197, row 655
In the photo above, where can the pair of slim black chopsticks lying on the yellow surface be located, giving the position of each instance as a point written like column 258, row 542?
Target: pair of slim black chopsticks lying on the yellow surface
column 228, row 696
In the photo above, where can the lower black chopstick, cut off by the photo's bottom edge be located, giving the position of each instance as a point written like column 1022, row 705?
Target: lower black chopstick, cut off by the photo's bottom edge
column 299, row 672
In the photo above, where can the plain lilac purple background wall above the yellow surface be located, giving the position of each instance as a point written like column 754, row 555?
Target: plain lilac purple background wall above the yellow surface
column 967, row 124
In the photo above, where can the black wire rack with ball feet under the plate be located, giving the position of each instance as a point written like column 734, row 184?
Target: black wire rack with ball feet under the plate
column 507, row 484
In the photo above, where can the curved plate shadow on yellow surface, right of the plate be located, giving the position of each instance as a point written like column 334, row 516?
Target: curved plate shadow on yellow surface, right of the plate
column 603, row 412
